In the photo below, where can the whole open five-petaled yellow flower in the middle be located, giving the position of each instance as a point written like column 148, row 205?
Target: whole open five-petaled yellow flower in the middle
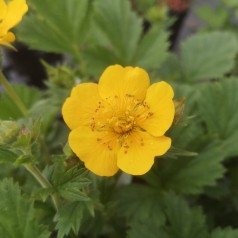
column 119, row 123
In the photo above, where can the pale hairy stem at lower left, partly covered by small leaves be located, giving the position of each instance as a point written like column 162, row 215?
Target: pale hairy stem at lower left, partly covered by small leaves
column 43, row 182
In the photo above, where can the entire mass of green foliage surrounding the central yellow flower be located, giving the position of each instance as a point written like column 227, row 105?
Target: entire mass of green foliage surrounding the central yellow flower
column 187, row 195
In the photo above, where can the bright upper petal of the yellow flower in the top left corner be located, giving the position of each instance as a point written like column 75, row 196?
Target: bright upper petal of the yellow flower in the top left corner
column 15, row 11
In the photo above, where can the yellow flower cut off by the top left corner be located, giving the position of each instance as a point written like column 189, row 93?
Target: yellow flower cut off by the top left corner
column 11, row 14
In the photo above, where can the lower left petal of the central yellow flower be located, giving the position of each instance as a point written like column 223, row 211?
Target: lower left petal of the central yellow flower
column 98, row 150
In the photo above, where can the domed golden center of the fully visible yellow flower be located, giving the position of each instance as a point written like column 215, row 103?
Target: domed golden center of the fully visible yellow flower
column 123, row 123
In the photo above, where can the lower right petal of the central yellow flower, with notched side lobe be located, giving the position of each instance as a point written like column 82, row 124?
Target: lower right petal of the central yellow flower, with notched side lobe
column 136, row 156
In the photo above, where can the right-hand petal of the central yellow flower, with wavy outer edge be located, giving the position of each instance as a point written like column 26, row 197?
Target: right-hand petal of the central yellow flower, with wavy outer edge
column 160, row 104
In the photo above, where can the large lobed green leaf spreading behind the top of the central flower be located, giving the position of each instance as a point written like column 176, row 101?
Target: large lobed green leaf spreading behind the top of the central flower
column 104, row 46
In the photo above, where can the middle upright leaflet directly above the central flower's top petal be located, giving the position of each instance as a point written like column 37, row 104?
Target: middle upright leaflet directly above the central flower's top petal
column 117, row 28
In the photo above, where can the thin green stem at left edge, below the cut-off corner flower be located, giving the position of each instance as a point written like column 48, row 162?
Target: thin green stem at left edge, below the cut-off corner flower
column 12, row 94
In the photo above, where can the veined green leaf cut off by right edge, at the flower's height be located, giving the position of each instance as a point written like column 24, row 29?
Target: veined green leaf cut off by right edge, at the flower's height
column 218, row 108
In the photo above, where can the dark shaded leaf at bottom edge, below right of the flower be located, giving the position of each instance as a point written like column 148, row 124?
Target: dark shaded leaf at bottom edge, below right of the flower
column 184, row 221
